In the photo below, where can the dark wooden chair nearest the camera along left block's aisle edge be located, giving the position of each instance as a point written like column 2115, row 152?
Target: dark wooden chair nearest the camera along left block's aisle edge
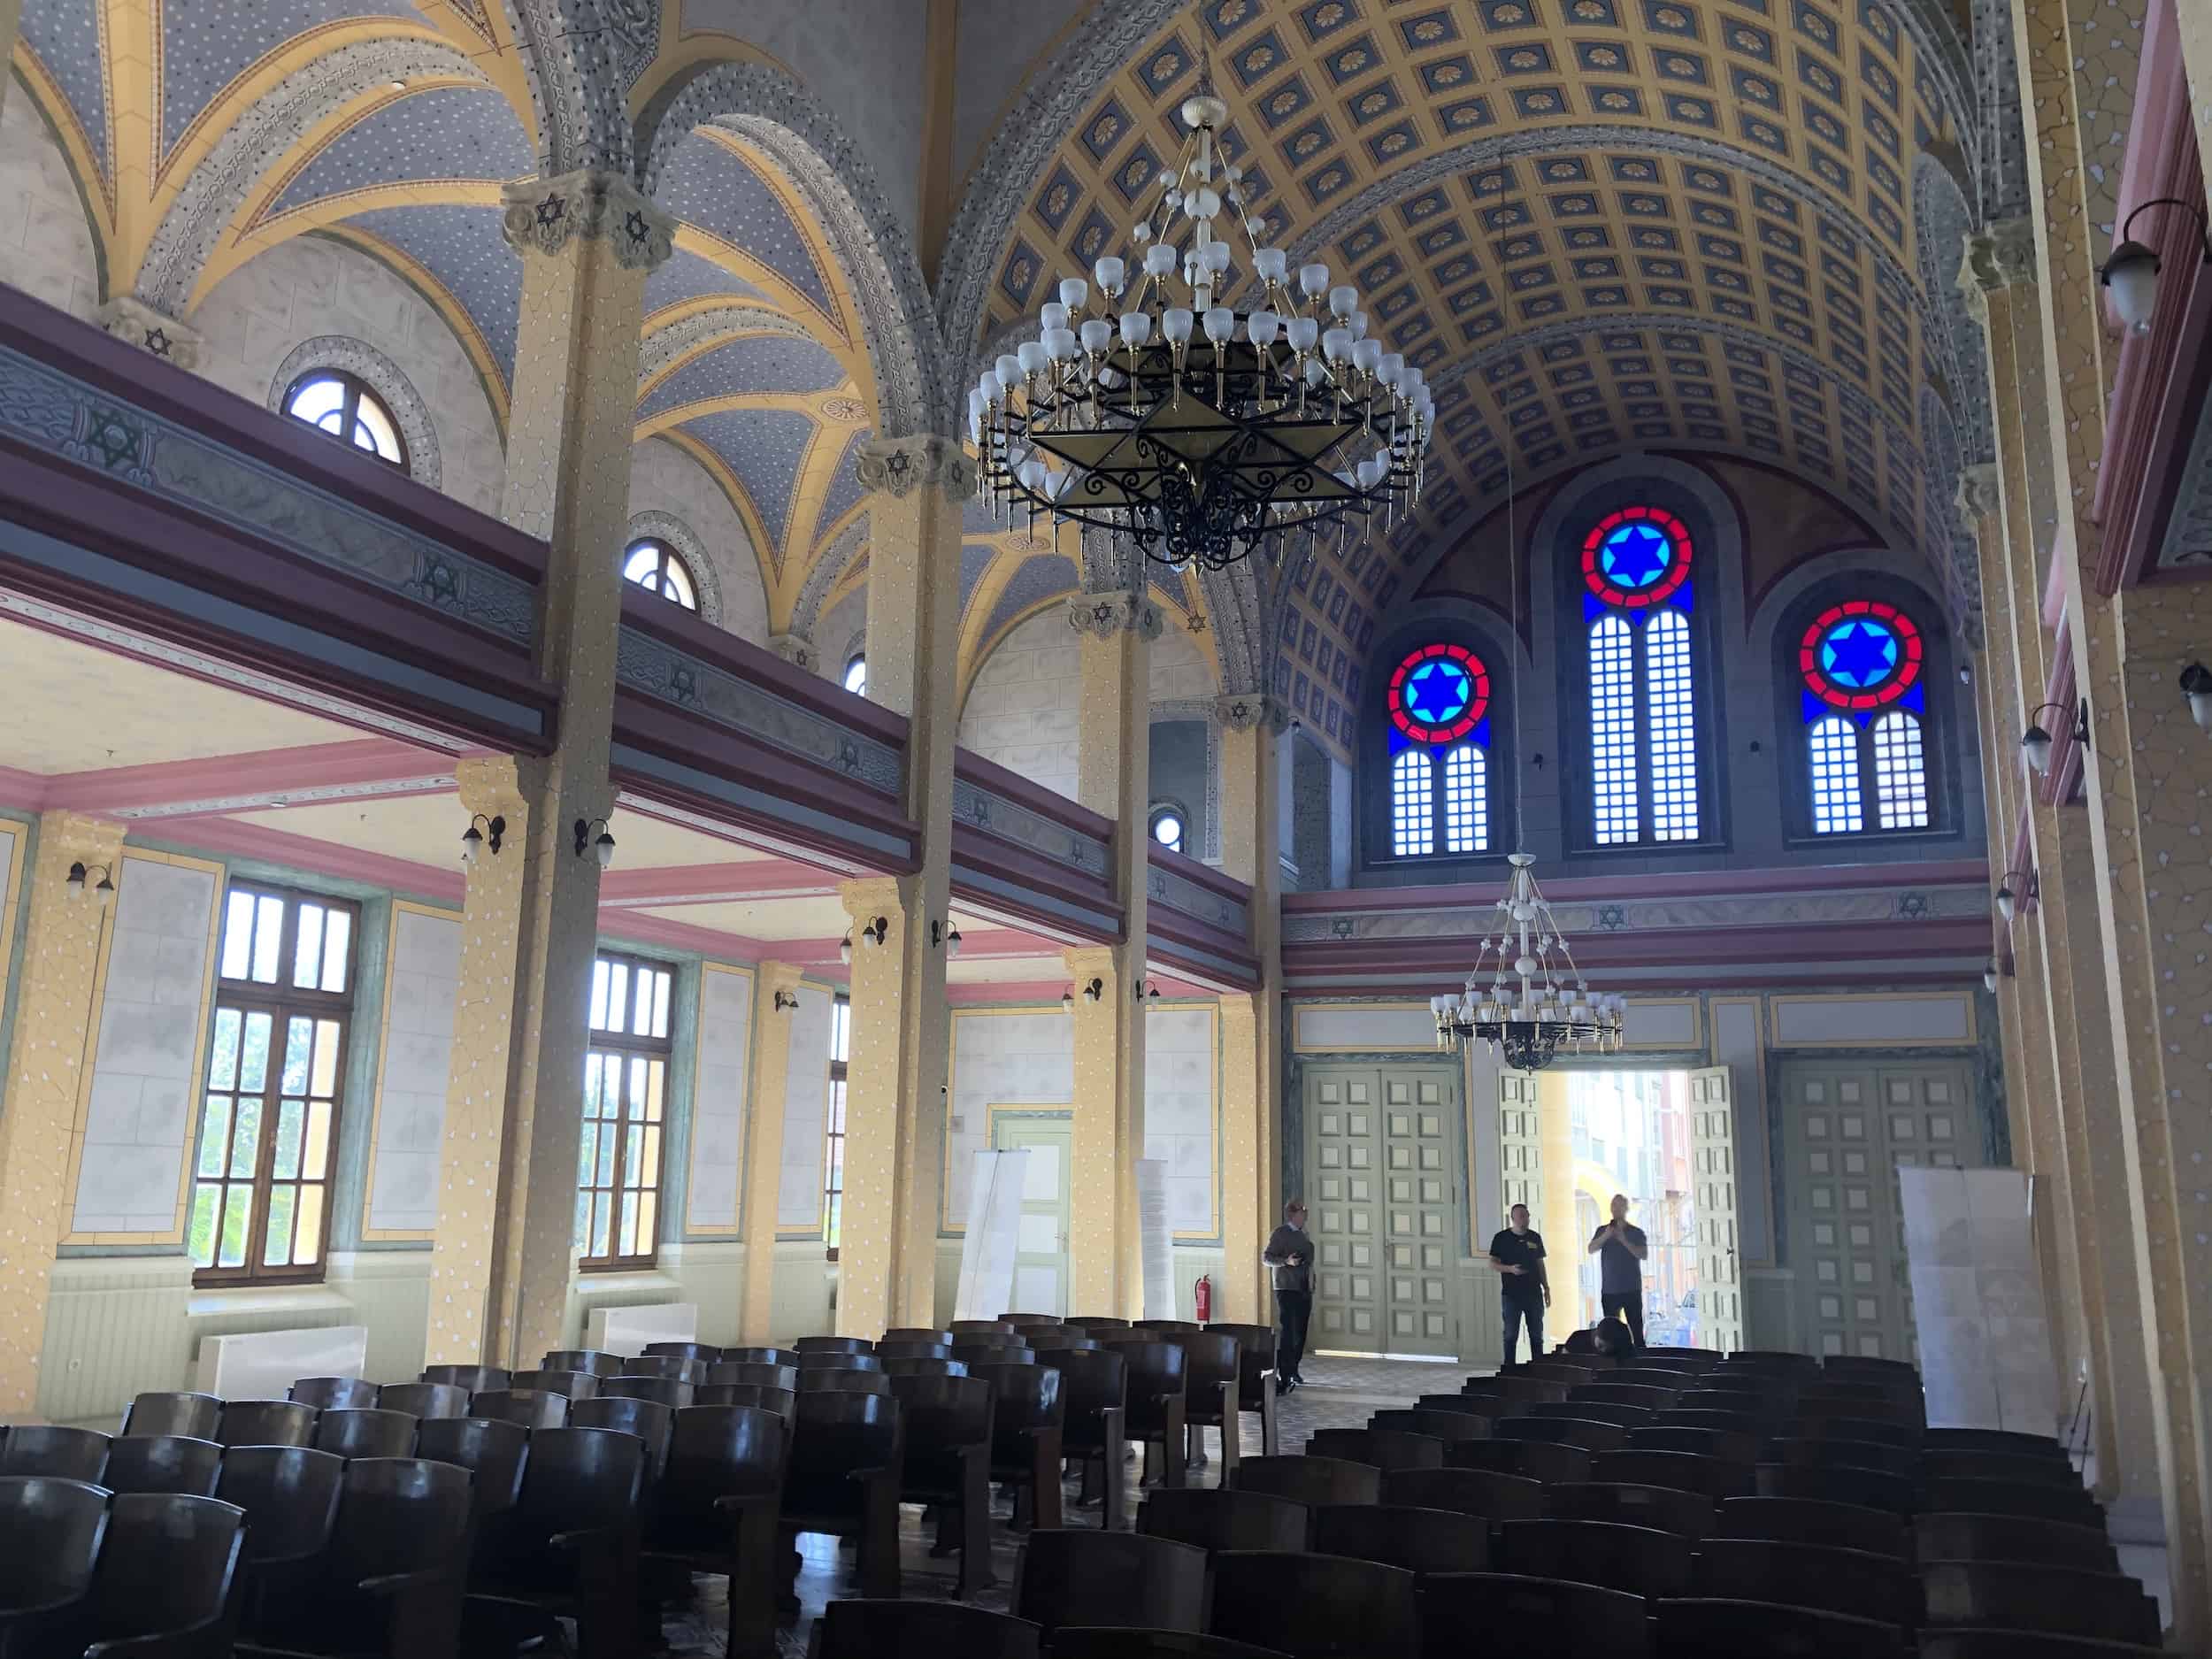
column 718, row 1512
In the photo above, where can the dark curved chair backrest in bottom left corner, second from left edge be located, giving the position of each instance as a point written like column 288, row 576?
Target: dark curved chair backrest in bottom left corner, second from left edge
column 167, row 1567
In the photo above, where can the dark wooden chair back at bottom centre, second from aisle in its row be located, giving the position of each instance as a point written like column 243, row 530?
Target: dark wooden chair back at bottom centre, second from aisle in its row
column 1315, row 1605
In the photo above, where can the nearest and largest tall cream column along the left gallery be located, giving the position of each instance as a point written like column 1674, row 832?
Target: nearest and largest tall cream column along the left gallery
column 503, row 1260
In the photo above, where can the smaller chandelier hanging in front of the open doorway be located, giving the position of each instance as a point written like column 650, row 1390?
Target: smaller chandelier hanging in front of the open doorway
column 1552, row 1010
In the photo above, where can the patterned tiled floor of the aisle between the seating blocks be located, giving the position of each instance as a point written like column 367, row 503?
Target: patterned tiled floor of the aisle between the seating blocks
column 1342, row 1395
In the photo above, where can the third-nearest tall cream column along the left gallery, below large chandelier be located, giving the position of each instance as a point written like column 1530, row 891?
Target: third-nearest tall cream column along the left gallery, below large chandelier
column 1112, row 778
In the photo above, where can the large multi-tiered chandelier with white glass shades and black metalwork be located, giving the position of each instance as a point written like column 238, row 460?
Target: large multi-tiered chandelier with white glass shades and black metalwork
column 1202, row 430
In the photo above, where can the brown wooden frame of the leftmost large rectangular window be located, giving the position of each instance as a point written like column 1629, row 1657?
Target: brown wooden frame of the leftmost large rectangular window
column 282, row 1003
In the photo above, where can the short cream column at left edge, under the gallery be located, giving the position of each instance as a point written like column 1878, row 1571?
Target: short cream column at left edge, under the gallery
column 45, row 1076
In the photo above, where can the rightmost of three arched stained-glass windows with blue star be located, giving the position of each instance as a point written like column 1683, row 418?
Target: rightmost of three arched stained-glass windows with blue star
column 1866, row 709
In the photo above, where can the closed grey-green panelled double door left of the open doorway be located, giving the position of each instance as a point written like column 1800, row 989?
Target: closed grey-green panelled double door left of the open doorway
column 1381, row 1149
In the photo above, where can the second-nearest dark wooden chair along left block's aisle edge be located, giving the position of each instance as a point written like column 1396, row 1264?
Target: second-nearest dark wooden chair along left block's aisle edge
column 842, row 1479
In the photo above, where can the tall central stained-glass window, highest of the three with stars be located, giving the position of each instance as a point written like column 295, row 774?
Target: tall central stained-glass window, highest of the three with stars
column 1642, row 680
